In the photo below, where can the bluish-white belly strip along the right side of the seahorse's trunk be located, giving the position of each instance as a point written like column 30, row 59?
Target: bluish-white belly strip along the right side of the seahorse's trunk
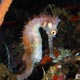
column 37, row 45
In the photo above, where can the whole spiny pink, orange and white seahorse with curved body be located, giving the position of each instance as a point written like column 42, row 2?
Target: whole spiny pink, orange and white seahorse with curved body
column 33, row 43
